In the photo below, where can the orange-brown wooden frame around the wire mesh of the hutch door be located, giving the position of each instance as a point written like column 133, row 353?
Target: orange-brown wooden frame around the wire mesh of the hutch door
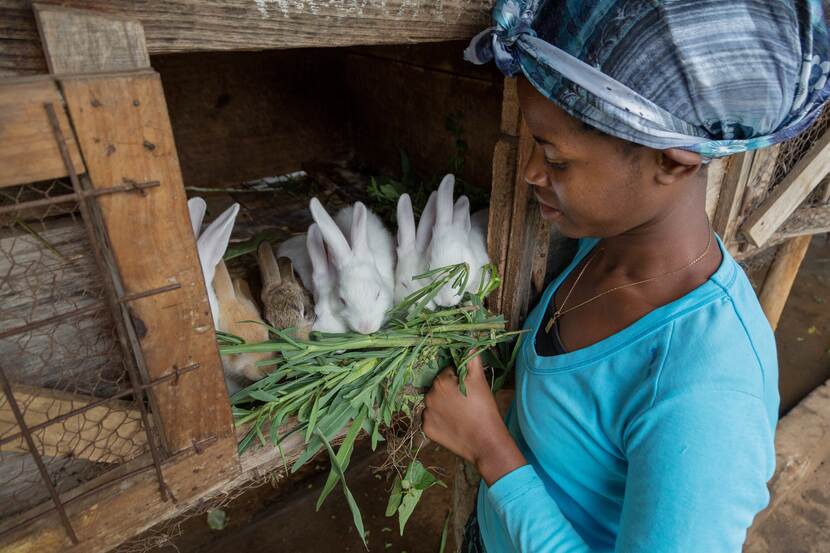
column 120, row 135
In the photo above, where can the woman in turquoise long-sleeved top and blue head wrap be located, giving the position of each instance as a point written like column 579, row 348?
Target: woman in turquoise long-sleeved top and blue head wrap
column 646, row 387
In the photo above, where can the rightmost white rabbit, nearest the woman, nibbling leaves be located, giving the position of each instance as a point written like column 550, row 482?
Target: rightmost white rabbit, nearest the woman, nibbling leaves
column 454, row 241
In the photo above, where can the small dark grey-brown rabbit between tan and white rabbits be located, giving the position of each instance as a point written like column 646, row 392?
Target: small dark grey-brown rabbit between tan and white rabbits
column 286, row 303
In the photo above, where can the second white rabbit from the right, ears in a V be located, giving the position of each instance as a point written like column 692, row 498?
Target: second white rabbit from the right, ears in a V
column 412, row 246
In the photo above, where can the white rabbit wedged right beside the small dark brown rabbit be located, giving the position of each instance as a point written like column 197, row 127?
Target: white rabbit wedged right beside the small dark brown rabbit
column 324, row 278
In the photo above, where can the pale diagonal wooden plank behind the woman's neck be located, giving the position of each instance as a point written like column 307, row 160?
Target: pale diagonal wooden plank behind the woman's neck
column 790, row 193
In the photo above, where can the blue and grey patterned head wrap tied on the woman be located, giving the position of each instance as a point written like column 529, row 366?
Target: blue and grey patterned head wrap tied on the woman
column 711, row 76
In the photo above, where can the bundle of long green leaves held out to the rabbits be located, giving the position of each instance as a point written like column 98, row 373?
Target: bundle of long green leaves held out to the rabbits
column 336, row 383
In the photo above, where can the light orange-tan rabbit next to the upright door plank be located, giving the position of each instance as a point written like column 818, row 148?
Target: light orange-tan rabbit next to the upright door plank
column 236, row 304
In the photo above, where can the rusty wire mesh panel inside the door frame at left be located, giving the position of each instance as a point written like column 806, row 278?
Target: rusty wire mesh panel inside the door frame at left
column 59, row 351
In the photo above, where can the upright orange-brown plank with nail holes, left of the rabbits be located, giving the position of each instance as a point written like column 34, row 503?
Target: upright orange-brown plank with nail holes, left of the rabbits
column 124, row 133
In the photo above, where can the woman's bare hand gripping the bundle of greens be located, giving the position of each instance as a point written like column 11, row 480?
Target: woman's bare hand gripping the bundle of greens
column 471, row 426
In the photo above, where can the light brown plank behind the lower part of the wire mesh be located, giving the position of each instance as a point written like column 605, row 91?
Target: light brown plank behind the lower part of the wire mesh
column 107, row 433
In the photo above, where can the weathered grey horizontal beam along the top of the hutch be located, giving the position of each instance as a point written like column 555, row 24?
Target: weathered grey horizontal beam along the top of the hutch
column 199, row 25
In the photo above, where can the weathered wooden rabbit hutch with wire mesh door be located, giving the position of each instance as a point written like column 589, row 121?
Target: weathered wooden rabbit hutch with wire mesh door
column 114, row 412
